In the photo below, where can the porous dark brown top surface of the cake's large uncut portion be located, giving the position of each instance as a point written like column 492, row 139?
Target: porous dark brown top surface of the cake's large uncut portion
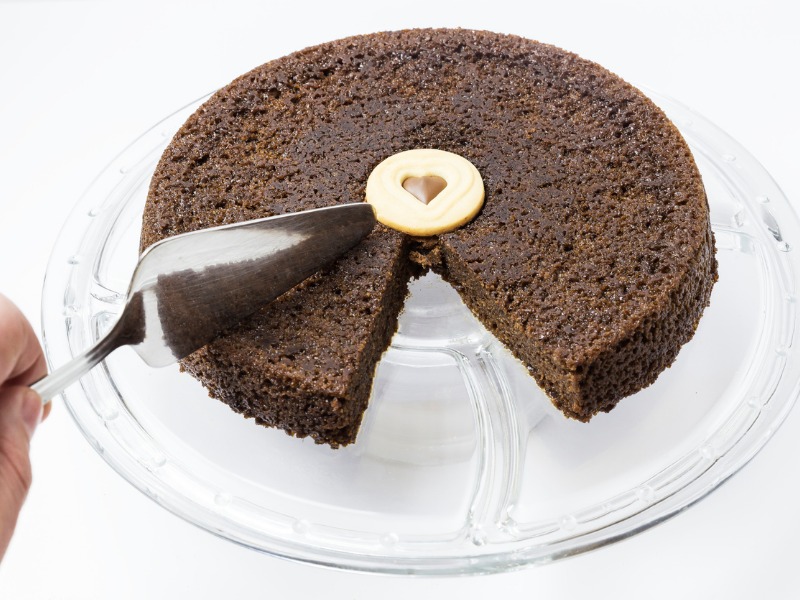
column 592, row 203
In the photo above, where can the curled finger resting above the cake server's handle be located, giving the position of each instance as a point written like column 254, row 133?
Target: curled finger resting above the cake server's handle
column 21, row 358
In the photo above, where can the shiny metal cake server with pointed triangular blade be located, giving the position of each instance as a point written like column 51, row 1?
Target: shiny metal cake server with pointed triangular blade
column 188, row 289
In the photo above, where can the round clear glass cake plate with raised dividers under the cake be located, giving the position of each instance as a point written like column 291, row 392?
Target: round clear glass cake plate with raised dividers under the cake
column 462, row 464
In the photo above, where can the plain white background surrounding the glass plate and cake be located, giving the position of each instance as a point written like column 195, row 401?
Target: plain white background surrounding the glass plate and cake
column 79, row 80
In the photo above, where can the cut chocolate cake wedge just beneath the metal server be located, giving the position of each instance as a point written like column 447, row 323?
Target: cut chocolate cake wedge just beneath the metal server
column 312, row 352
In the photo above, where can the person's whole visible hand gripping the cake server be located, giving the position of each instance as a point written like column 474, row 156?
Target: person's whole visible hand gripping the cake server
column 21, row 363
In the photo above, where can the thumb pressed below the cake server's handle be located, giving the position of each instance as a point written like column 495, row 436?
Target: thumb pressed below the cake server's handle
column 20, row 413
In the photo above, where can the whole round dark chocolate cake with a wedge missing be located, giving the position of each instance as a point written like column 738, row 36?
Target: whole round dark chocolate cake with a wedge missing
column 592, row 257
